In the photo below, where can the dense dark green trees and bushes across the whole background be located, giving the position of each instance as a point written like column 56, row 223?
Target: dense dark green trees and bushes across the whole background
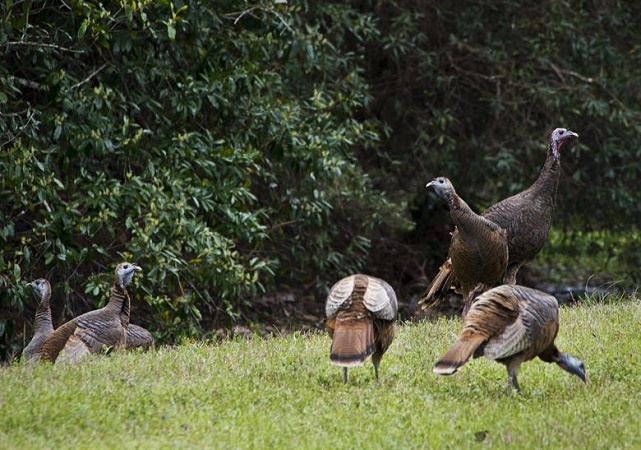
column 236, row 148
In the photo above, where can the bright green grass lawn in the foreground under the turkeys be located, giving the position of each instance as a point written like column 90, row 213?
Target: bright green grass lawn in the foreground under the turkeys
column 283, row 393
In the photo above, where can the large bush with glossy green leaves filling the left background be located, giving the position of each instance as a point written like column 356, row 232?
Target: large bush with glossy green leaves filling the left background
column 209, row 144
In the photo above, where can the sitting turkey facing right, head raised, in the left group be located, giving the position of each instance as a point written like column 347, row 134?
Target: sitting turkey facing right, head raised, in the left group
column 98, row 330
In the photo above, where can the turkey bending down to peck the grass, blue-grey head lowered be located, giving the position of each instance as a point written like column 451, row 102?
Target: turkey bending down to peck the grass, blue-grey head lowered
column 510, row 324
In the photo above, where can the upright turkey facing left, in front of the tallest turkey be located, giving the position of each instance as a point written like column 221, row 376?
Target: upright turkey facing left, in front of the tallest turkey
column 478, row 253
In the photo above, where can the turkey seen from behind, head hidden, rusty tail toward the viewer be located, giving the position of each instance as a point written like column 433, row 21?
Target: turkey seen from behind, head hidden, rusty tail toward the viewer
column 361, row 318
